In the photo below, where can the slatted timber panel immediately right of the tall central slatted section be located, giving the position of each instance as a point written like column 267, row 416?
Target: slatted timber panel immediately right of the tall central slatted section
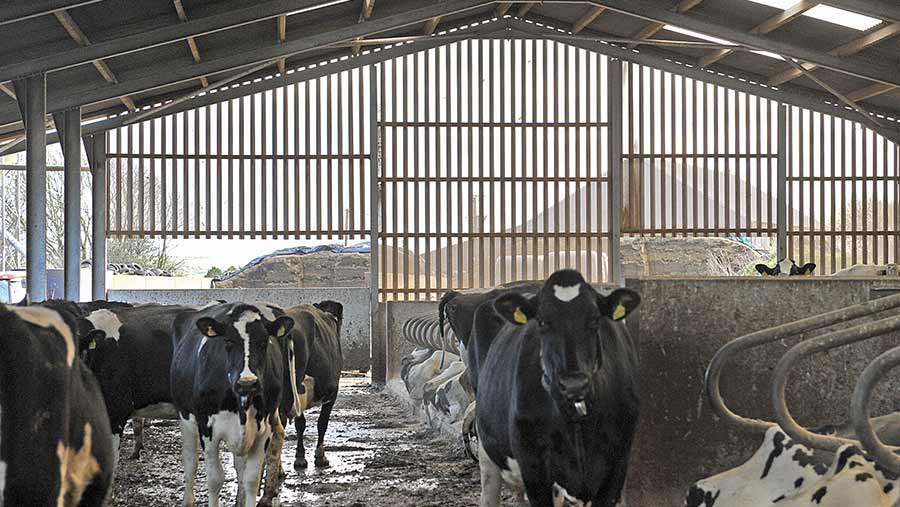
column 698, row 160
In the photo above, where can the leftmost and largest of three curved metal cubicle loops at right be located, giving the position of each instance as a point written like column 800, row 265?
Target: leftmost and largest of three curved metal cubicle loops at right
column 762, row 337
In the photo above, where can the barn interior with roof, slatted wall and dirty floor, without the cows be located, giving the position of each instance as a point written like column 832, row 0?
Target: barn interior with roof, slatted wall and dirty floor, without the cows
column 664, row 146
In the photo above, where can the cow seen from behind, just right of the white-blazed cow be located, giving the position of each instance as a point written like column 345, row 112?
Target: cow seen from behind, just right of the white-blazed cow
column 315, row 346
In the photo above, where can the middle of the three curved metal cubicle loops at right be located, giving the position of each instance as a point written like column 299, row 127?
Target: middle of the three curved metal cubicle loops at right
column 807, row 348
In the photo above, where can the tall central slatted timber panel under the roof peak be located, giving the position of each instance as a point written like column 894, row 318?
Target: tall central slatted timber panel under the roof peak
column 494, row 166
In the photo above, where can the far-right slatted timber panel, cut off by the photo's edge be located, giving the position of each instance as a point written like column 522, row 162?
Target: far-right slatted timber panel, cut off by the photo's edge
column 844, row 193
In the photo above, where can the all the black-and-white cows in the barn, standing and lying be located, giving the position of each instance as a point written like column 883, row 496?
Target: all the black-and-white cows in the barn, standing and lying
column 544, row 392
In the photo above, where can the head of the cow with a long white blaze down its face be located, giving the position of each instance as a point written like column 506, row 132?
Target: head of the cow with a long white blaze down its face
column 245, row 334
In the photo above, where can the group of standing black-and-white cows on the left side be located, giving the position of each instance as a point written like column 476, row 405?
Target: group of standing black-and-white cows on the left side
column 73, row 374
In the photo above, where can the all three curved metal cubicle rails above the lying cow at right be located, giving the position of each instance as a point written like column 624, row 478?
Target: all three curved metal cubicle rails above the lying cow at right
column 808, row 347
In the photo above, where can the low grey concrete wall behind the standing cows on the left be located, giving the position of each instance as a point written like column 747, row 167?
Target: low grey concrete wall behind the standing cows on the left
column 354, row 331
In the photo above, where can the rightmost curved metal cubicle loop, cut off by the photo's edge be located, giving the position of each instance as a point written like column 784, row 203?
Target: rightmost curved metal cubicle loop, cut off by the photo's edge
column 859, row 409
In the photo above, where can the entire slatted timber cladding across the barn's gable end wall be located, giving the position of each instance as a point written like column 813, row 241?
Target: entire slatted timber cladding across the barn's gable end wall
column 494, row 166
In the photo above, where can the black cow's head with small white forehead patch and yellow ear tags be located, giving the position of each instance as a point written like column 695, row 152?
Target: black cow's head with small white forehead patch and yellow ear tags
column 572, row 321
